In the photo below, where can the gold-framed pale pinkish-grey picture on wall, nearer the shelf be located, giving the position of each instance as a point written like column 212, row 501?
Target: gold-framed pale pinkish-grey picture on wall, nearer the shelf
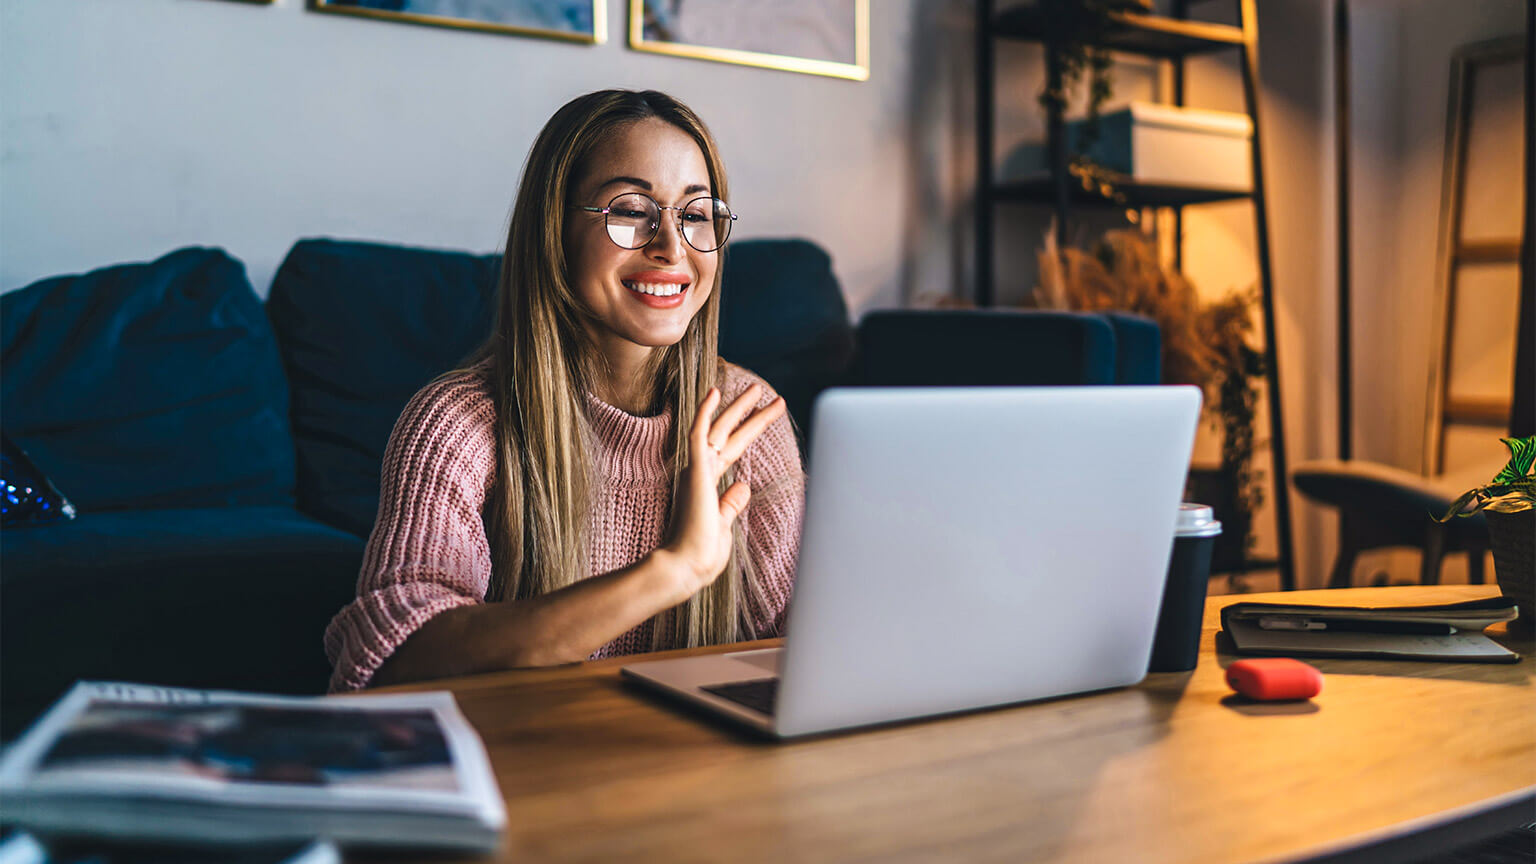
column 821, row 38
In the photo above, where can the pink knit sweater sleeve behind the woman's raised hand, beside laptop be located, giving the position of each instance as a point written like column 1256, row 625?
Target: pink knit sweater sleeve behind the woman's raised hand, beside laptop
column 772, row 468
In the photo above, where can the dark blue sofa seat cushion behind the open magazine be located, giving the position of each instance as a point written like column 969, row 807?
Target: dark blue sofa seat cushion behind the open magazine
column 222, row 597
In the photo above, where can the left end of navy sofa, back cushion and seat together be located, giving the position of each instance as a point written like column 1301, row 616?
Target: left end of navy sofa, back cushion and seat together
column 154, row 394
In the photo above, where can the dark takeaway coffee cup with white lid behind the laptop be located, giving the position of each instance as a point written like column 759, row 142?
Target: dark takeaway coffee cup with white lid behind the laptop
column 1177, row 643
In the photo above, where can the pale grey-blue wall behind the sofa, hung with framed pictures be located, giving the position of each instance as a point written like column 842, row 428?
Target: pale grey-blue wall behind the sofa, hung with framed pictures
column 134, row 128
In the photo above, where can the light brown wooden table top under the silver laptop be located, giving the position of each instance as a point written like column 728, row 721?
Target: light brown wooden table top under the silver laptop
column 1174, row 769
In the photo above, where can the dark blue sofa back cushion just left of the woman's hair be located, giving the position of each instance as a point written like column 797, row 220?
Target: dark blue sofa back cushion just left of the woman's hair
column 362, row 328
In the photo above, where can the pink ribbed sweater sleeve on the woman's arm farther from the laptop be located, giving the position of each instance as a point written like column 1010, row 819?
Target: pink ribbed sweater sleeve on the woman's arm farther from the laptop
column 428, row 551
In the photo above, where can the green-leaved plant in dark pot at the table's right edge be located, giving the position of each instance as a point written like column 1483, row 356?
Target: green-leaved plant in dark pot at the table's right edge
column 1509, row 503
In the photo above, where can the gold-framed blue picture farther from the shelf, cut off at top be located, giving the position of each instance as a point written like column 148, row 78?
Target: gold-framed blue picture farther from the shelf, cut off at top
column 518, row 19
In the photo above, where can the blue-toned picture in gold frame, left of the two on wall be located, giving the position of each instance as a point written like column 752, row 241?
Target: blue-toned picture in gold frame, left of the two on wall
column 571, row 21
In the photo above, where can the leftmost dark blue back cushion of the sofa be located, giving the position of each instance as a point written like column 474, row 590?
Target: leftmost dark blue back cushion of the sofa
column 150, row 385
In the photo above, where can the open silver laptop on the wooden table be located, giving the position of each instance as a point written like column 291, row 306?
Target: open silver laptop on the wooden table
column 964, row 548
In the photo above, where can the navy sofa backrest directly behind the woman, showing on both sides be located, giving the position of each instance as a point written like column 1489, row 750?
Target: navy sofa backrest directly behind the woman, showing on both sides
column 363, row 327
